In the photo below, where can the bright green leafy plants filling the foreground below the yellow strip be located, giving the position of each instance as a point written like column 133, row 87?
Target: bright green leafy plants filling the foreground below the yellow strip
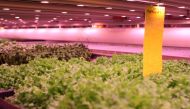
column 107, row 83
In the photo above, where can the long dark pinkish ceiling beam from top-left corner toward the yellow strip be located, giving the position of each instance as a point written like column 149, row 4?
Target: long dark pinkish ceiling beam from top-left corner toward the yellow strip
column 50, row 7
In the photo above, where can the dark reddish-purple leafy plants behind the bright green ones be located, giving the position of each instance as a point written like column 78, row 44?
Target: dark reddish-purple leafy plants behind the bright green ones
column 12, row 53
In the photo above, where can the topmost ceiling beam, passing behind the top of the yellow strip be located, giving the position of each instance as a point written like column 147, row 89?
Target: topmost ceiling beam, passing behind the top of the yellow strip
column 115, row 4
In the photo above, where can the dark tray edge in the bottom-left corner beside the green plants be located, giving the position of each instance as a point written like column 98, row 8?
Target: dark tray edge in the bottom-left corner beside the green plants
column 3, row 94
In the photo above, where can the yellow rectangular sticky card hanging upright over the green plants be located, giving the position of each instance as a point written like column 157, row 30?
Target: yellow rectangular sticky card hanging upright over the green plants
column 154, row 28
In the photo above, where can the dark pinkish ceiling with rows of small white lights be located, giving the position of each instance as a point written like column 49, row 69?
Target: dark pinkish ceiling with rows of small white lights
column 47, row 13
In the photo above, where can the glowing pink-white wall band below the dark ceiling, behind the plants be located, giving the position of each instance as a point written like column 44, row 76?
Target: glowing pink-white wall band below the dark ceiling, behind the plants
column 172, row 36
